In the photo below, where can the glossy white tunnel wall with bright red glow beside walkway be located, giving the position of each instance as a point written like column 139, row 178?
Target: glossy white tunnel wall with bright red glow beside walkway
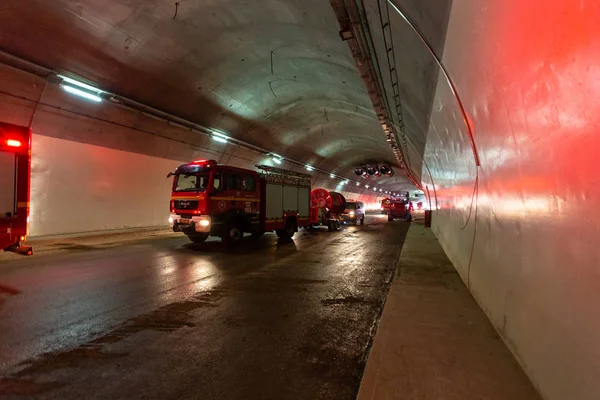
column 521, row 229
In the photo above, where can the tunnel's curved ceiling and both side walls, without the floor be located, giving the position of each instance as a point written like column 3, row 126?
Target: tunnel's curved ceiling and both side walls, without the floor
column 486, row 106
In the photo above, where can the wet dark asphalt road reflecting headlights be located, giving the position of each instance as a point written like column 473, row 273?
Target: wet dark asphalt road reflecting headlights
column 166, row 319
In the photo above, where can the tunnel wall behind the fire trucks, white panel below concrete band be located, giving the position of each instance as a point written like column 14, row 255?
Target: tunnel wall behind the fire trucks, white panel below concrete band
column 99, row 167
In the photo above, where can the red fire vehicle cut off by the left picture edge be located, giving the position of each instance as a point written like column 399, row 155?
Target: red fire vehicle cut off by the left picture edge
column 15, row 170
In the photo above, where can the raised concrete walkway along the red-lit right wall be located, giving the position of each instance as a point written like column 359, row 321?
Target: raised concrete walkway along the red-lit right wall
column 433, row 341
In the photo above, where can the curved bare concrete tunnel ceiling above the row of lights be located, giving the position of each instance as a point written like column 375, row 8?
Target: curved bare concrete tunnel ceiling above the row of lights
column 272, row 73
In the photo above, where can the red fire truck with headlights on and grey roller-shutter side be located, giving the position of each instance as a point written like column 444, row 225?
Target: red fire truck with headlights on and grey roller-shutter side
column 209, row 199
